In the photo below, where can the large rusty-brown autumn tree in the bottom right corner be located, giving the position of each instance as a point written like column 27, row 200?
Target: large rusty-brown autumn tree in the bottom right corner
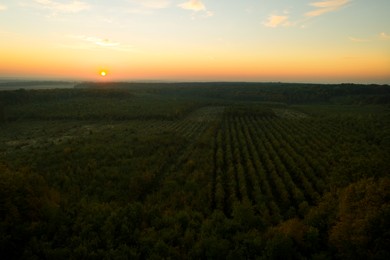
column 362, row 230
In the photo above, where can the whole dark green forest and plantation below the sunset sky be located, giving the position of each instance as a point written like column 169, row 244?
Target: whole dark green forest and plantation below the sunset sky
column 195, row 171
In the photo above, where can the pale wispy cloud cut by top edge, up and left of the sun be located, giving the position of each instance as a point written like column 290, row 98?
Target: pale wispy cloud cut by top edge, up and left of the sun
column 74, row 6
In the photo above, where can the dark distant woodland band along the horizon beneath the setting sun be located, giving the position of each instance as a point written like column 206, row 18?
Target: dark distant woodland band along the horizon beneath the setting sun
column 275, row 92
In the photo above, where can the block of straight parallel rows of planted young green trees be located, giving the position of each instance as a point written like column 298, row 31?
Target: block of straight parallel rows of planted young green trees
column 277, row 165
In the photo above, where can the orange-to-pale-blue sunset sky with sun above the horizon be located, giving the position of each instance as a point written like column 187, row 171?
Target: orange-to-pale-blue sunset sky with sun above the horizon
column 324, row 41
